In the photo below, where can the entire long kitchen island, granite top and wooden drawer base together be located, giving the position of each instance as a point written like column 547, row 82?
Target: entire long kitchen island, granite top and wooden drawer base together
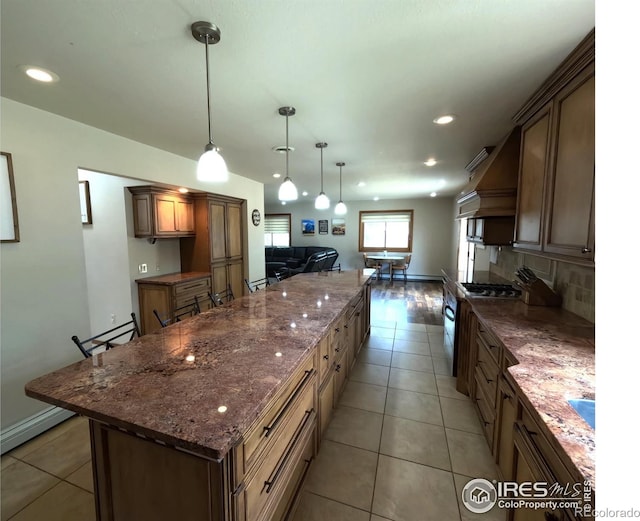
column 218, row 417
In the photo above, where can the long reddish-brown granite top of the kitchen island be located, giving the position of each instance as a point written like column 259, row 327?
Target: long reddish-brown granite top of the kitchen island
column 242, row 353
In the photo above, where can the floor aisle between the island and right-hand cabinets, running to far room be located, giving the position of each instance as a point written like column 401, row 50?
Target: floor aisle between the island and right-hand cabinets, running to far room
column 403, row 442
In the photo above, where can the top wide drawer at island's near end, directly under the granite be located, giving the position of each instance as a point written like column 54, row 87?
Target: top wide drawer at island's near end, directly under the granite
column 299, row 389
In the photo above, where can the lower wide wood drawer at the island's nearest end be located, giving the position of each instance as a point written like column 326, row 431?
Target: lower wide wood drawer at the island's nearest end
column 266, row 487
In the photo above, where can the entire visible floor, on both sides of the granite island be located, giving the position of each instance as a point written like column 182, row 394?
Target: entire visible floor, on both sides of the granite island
column 400, row 447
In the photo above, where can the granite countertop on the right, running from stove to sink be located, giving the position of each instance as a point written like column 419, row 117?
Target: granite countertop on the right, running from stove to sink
column 555, row 351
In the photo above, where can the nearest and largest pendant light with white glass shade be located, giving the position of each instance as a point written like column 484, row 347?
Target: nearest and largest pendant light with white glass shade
column 211, row 165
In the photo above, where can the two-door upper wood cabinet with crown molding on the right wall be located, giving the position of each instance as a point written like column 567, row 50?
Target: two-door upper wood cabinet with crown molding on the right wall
column 555, row 207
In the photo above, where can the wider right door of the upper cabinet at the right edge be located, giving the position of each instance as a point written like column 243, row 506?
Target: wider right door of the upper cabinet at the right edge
column 570, row 227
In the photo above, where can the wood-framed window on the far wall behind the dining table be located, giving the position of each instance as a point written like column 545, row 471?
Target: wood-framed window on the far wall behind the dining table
column 386, row 230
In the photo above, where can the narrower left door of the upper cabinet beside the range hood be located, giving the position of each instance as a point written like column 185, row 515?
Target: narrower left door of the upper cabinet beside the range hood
column 531, row 182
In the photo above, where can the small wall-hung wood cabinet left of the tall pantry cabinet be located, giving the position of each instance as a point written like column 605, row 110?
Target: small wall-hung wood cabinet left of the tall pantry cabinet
column 161, row 213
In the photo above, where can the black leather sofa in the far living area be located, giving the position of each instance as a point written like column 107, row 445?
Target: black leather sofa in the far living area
column 298, row 259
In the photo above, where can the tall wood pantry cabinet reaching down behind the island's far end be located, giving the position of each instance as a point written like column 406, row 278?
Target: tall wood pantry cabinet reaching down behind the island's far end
column 218, row 245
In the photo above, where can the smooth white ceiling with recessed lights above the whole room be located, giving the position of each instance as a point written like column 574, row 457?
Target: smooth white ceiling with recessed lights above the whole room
column 366, row 76
